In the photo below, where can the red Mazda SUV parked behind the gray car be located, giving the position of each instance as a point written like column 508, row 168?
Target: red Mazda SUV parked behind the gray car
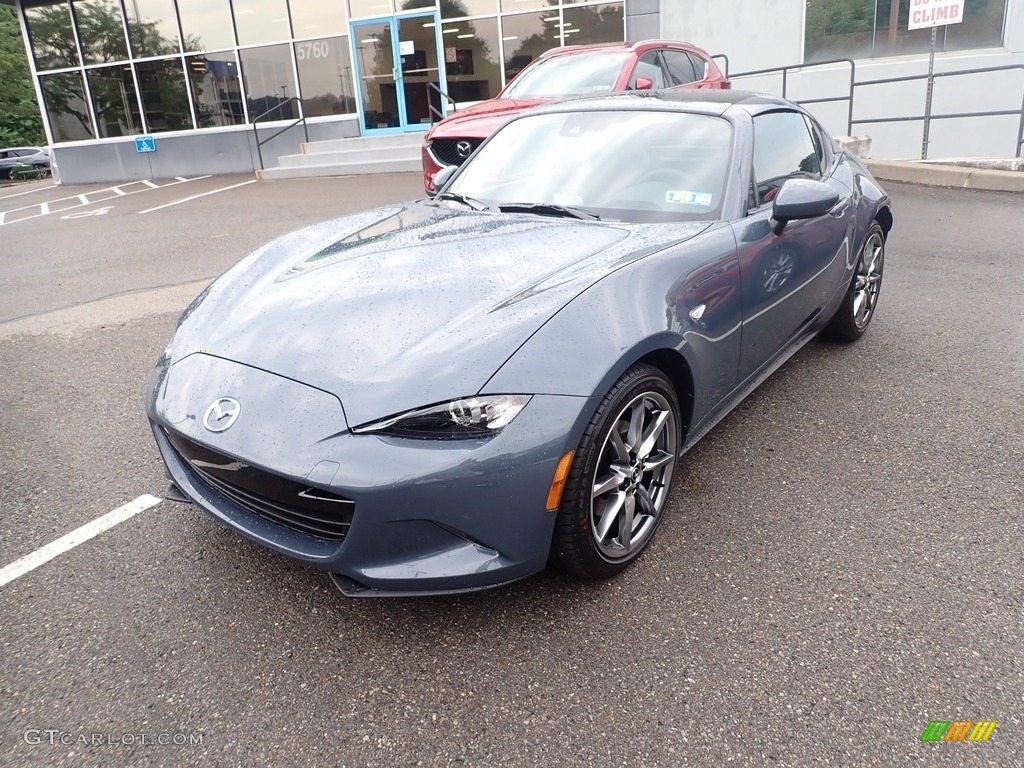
column 565, row 73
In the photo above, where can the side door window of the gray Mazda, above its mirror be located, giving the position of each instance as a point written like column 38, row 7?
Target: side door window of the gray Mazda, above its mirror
column 783, row 150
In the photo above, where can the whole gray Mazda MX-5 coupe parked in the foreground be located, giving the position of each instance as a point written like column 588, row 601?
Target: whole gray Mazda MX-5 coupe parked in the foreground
column 451, row 394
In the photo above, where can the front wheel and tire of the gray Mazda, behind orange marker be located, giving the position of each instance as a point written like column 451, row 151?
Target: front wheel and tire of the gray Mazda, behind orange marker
column 618, row 489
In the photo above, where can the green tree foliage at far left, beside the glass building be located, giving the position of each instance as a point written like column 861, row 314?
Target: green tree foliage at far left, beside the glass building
column 20, row 120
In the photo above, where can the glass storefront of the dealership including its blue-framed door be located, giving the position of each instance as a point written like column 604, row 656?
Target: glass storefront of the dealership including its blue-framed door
column 111, row 69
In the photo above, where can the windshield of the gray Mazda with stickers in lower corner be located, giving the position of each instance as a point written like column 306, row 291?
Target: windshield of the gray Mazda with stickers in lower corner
column 620, row 165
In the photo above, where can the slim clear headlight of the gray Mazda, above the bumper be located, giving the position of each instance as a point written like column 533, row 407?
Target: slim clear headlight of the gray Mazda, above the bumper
column 479, row 416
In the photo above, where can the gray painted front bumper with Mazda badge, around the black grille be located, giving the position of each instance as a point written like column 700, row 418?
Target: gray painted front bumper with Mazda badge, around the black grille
column 431, row 517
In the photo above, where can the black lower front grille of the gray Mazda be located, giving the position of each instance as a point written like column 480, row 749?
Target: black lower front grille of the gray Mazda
column 292, row 505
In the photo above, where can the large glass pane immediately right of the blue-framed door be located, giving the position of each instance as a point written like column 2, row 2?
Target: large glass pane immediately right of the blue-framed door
column 472, row 62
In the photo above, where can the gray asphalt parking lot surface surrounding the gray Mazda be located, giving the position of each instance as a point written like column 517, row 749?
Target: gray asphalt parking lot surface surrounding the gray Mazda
column 842, row 564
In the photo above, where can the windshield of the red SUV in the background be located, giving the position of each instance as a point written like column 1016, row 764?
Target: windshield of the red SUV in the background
column 569, row 76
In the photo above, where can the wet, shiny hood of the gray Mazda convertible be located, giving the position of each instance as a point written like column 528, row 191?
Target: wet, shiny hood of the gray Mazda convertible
column 408, row 306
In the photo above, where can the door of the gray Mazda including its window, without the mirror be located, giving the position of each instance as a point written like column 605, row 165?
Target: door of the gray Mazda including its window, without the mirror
column 787, row 279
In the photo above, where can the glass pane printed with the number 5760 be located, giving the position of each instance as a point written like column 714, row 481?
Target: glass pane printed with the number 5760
column 326, row 77
